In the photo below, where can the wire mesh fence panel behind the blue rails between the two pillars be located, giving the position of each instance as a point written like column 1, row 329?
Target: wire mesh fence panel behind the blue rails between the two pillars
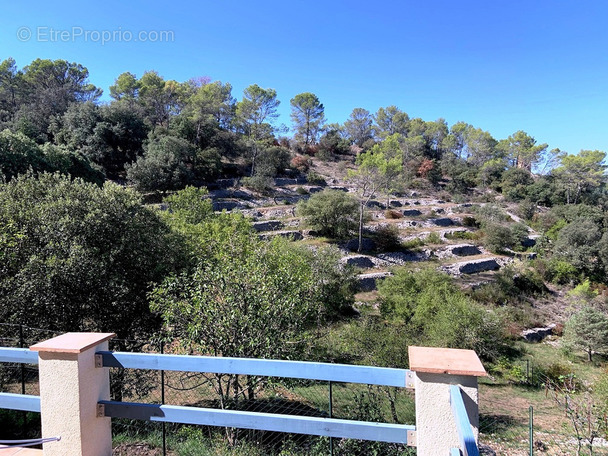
column 254, row 394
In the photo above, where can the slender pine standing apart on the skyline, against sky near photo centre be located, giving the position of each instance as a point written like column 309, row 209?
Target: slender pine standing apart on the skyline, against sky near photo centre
column 308, row 116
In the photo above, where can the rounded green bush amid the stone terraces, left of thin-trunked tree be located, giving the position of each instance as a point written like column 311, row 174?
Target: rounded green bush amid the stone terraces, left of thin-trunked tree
column 332, row 213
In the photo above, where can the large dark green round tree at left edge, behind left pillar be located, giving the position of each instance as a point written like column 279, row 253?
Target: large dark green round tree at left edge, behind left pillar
column 85, row 259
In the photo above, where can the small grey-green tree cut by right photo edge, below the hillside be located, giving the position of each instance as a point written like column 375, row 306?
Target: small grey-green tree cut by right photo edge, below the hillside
column 588, row 330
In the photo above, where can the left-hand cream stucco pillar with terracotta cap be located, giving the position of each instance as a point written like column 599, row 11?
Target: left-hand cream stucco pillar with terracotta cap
column 70, row 386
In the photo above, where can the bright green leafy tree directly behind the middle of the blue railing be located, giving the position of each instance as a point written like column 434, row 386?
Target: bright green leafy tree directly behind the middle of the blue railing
column 245, row 298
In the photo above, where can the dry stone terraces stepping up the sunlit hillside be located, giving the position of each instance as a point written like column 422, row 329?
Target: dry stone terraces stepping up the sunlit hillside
column 415, row 216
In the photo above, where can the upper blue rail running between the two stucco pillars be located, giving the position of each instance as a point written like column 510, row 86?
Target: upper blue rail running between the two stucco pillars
column 262, row 367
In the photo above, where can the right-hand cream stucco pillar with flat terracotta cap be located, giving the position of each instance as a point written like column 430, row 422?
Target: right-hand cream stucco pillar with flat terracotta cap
column 436, row 369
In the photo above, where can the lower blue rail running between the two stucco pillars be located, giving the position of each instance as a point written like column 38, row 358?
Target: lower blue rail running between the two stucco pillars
column 328, row 427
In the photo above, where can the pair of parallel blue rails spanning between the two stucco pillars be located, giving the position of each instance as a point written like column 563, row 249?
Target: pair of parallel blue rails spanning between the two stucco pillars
column 329, row 427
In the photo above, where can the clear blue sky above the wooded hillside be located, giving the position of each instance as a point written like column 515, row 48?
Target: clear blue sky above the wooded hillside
column 540, row 66
